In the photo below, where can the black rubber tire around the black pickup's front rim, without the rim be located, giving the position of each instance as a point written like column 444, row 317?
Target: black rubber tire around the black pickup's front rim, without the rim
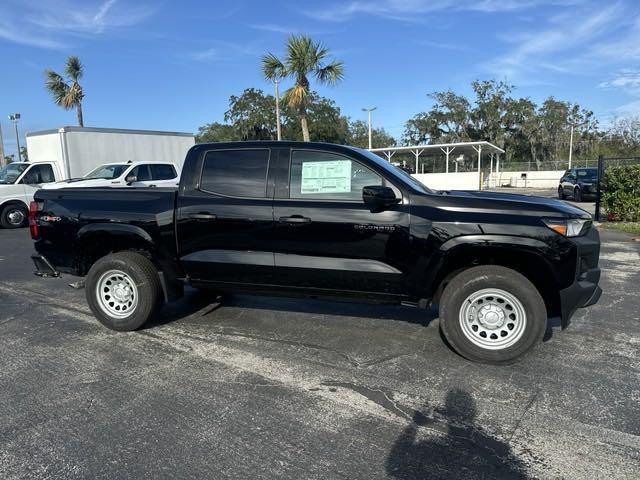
column 475, row 279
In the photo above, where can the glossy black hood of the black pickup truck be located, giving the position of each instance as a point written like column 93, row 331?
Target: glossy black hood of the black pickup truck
column 507, row 203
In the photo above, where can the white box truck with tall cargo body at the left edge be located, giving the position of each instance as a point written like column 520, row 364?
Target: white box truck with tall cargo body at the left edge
column 71, row 152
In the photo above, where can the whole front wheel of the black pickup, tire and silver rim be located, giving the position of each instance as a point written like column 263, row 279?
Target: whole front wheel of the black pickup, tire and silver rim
column 492, row 314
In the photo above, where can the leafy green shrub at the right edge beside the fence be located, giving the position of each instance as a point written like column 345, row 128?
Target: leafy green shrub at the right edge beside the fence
column 621, row 193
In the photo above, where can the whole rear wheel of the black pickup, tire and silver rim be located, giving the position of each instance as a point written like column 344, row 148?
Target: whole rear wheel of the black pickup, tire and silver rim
column 123, row 290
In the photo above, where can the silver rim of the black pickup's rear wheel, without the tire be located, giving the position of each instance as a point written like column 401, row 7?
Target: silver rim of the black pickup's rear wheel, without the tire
column 117, row 294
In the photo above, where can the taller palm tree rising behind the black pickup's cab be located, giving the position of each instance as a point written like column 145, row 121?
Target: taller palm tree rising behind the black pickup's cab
column 303, row 58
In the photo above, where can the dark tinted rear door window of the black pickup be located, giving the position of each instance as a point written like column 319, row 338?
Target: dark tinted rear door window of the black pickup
column 236, row 173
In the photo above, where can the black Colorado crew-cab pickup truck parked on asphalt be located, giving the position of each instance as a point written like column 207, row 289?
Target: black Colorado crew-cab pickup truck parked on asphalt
column 313, row 219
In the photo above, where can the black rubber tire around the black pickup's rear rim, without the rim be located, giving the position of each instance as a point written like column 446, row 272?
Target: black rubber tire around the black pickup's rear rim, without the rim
column 137, row 269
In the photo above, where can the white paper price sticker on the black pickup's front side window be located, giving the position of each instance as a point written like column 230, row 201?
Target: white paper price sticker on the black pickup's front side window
column 326, row 177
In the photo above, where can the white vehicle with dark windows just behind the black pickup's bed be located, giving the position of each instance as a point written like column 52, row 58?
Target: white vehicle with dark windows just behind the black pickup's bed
column 132, row 174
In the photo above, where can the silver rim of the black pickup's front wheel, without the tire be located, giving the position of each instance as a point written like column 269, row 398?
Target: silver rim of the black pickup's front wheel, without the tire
column 493, row 319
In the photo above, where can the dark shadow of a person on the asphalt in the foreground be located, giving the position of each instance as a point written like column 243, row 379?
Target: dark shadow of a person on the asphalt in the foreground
column 449, row 444
